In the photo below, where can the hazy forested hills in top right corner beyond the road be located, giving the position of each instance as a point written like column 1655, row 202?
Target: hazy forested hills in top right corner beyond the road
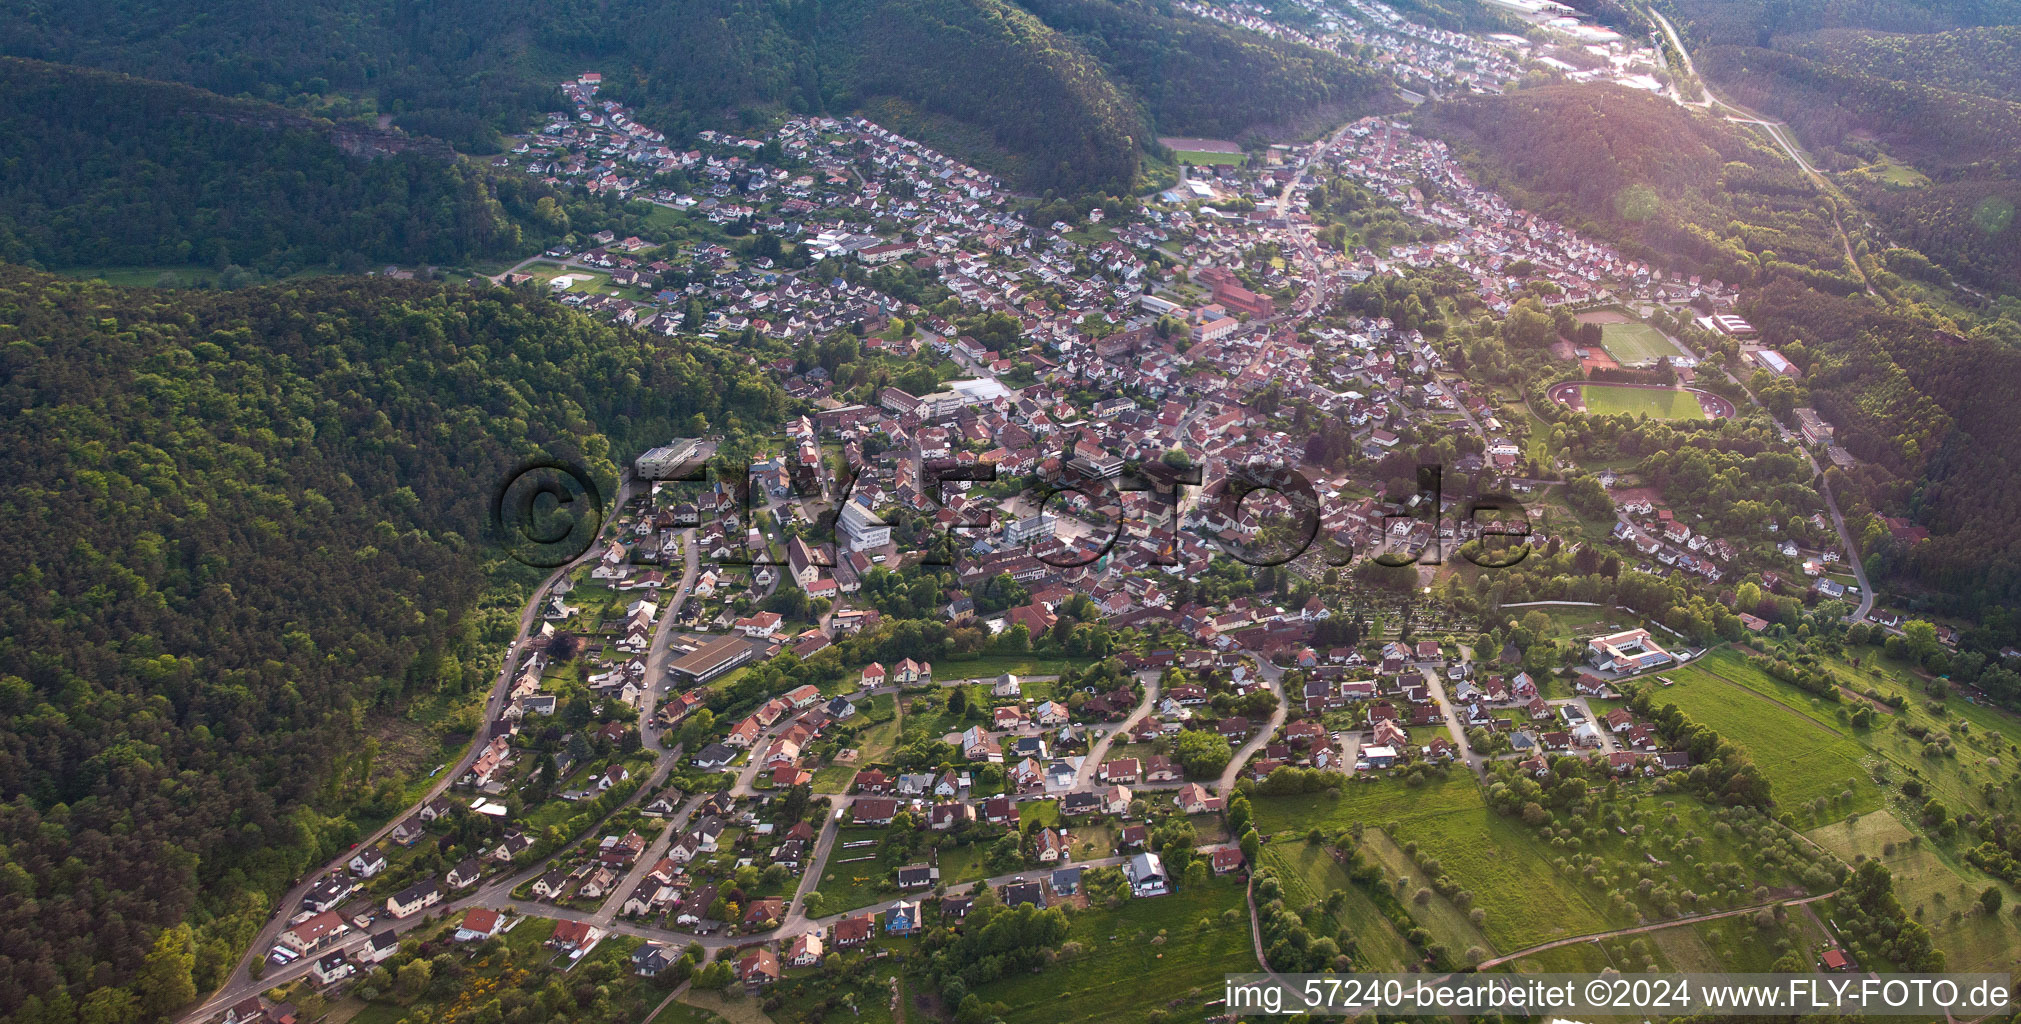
column 1921, row 82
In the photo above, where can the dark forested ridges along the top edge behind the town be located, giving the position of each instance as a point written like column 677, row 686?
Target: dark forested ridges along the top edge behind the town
column 987, row 76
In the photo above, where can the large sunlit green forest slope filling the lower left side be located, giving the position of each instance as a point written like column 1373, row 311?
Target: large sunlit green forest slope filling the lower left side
column 244, row 526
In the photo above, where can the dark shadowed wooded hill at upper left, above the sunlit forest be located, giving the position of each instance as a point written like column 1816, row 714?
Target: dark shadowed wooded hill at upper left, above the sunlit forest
column 118, row 171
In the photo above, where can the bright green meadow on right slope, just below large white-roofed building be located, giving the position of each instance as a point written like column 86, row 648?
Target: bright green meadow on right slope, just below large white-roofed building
column 1804, row 750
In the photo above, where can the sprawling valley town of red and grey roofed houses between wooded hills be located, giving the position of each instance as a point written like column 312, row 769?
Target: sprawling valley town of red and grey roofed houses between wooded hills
column 1016, row 605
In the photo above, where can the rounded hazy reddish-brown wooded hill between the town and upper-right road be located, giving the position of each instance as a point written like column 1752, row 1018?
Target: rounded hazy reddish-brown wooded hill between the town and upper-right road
column 1658, row 179
